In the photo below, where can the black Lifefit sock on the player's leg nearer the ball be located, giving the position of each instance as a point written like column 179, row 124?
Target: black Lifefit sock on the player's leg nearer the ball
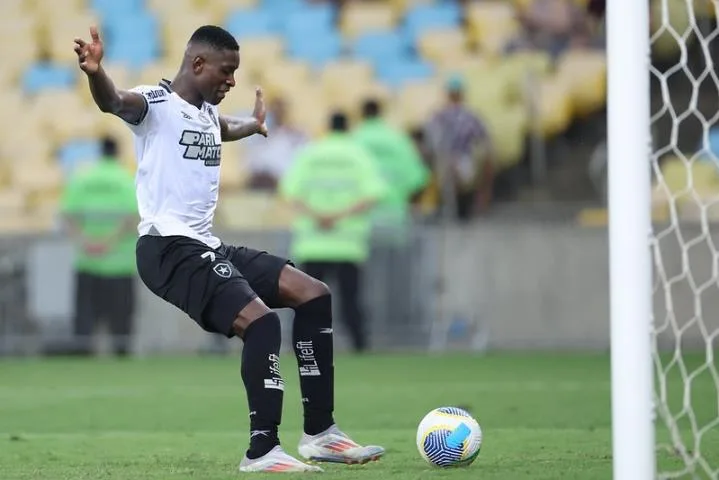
column 313, row 343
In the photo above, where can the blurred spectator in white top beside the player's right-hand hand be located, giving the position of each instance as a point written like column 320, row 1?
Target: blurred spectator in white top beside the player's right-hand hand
column 269, row 158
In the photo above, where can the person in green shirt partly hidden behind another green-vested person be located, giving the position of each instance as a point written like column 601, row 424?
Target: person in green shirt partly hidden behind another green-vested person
column 397, row 160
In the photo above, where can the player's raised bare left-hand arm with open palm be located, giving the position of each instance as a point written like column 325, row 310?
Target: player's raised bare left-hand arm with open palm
column 129, row 106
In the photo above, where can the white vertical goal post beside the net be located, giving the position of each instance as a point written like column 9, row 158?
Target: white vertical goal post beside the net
column 629, row 177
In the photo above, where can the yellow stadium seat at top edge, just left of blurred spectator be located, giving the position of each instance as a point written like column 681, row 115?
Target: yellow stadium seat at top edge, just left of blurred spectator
column 491, row 25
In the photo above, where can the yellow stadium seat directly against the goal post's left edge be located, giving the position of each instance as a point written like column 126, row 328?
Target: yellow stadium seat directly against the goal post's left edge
column 583, row 73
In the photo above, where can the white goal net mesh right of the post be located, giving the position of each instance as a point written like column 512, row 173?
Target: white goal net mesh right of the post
column 685, row 237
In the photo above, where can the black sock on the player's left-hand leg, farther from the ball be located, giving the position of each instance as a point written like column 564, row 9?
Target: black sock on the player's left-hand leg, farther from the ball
column 265, row 387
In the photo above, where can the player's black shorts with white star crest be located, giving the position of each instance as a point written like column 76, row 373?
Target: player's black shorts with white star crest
column 210, row 285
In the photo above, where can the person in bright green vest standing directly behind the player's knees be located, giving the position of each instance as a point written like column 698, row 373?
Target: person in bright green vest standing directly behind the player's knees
column 334, row 184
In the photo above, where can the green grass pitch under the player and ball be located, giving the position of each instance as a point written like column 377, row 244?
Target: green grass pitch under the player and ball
column 543, row 416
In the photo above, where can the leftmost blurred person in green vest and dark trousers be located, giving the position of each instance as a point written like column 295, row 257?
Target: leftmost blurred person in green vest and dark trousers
column 100, row 212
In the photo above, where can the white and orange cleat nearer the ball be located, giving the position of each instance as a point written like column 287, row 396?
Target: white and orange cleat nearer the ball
column 334, row 446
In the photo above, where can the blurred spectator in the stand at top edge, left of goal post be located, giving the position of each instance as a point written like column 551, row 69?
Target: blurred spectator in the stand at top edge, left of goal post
column 552, row 26
